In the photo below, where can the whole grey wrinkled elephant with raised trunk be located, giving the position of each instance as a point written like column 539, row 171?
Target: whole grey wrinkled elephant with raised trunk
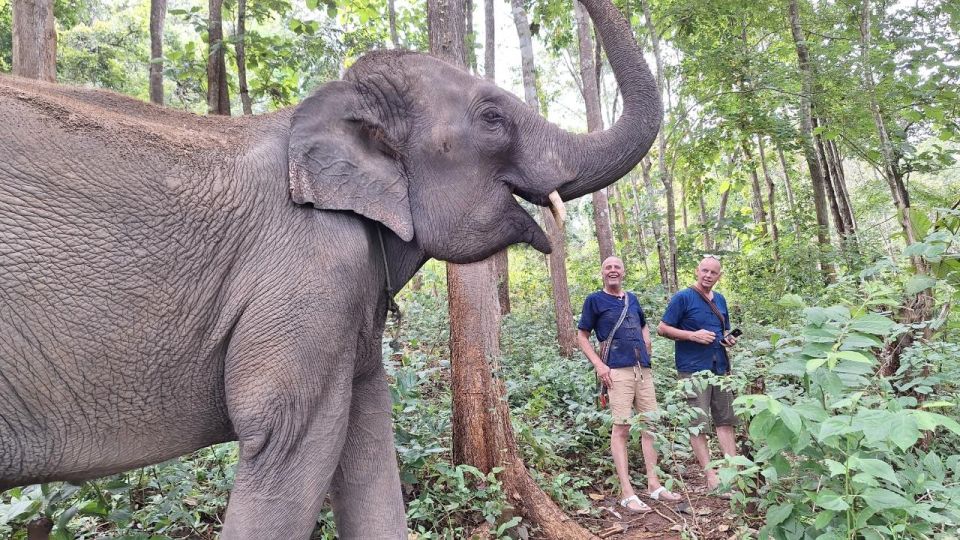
column 164, row 286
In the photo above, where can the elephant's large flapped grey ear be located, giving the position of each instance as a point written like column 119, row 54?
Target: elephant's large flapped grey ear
column 340, row 158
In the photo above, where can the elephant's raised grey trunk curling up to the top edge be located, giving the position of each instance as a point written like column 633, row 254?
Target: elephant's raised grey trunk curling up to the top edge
column 598, row 159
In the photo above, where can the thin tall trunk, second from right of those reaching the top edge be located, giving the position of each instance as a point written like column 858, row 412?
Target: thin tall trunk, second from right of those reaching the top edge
column 809, row 148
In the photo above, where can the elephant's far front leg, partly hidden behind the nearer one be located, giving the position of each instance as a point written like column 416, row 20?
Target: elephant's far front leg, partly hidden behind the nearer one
column 367, row 500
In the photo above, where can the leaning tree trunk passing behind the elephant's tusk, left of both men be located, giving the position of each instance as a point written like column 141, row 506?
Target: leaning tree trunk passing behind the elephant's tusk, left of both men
column 557, row 260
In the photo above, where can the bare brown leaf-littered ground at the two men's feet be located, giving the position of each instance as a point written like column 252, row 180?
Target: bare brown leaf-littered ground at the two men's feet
column 707, row 517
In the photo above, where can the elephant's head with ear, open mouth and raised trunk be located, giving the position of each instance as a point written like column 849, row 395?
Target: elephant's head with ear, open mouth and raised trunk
column 436, row 154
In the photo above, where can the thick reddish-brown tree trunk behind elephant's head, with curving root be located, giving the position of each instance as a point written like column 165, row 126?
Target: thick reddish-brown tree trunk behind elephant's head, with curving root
column 482, row 433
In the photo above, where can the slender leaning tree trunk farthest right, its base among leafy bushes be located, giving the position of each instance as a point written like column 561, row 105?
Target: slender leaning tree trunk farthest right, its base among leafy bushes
column 919, row 307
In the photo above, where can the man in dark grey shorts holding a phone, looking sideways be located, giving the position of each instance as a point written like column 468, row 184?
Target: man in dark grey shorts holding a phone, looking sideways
column 701, row 341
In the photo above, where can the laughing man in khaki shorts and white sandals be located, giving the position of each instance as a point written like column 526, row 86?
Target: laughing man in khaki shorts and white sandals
column 626, row 374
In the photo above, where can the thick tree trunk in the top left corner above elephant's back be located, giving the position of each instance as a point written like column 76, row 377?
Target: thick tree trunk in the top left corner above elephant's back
column 34, row 40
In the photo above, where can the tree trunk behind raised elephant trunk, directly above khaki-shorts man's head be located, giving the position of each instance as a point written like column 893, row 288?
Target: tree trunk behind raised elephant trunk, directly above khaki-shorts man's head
column 591, row 97
